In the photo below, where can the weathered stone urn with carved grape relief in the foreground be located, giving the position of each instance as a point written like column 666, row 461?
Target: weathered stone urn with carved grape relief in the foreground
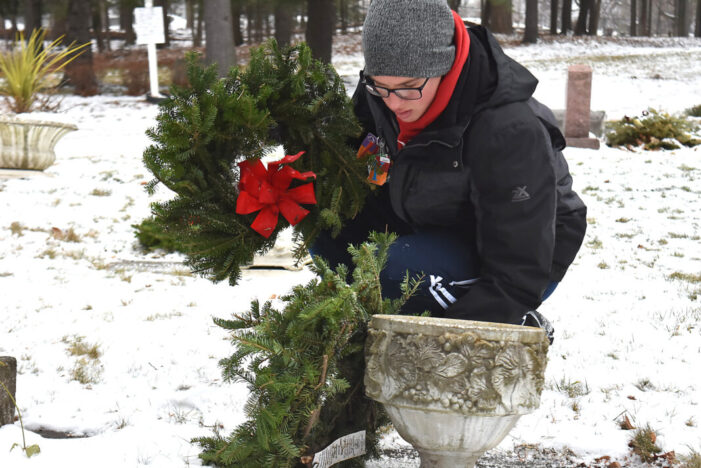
column 453, row 388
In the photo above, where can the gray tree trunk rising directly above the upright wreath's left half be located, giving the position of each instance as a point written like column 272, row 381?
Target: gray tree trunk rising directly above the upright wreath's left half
column 219, row 32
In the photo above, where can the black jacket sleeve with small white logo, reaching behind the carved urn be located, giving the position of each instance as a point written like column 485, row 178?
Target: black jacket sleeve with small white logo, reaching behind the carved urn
column 514, row 195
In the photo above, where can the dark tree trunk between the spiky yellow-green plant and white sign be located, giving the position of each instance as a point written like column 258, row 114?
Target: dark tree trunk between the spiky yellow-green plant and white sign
column 80, row 72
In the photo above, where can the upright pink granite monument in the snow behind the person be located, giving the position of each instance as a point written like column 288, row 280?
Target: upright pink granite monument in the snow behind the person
column 577, row 113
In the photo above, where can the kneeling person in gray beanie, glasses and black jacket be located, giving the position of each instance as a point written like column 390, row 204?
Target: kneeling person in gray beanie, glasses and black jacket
column 477, row 187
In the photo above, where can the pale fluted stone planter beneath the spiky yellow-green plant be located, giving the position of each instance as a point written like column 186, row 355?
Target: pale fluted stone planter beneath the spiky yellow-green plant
column 27, row 144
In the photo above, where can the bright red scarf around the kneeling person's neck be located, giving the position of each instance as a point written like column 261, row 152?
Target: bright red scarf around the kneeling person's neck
column 408, row 130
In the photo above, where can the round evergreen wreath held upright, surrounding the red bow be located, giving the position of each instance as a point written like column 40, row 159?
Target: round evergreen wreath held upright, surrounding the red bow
column 205, row 131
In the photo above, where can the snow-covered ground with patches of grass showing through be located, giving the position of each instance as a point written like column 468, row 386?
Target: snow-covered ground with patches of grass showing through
column 627, row 316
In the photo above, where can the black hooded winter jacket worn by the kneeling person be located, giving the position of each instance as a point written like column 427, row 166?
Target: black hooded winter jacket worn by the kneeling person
column 491, row 167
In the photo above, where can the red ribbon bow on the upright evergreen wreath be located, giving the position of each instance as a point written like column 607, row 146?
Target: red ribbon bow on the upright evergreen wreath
column 268, row 190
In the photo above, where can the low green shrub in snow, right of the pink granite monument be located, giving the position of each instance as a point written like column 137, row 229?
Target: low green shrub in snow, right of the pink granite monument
column 653, row 130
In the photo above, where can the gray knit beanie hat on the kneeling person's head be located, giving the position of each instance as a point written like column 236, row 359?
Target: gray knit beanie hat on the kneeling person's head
column 412, row 38
